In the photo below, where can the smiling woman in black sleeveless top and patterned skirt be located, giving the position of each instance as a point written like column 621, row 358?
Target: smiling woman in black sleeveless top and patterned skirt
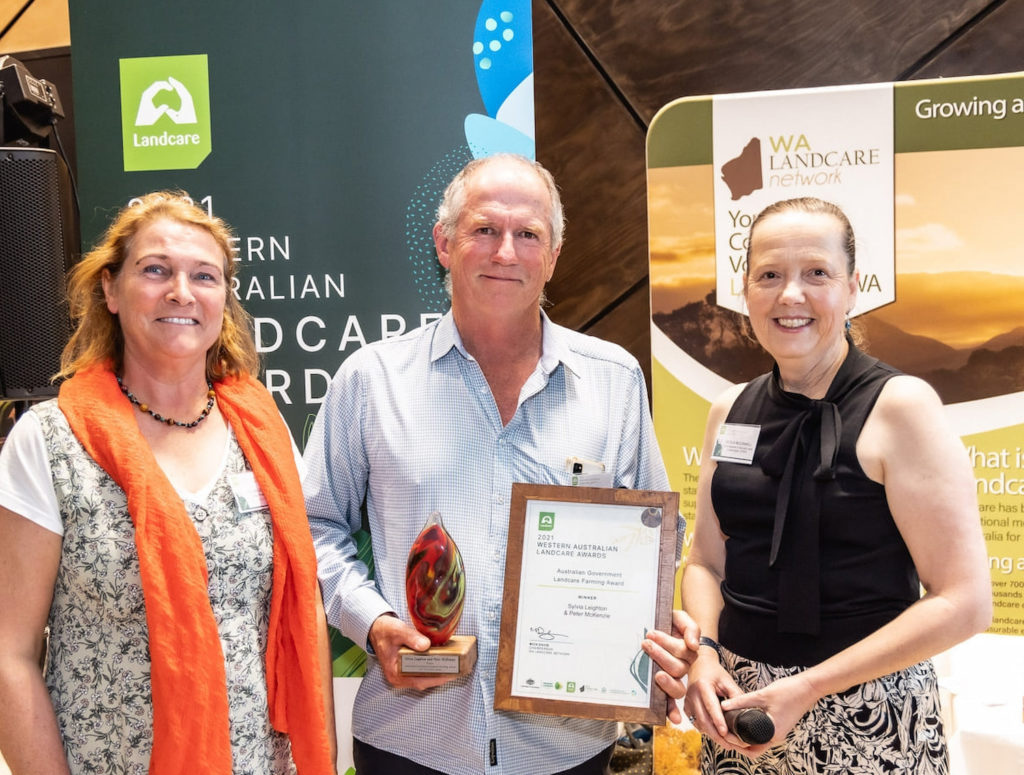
column 830, row 491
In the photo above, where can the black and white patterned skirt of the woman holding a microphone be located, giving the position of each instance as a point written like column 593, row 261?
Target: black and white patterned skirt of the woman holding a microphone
column 883, row 727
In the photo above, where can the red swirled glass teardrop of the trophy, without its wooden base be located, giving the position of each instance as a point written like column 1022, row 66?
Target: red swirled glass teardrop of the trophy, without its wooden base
column 436, row 582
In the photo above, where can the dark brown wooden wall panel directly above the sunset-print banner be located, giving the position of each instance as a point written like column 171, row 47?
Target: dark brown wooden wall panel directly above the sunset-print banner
column 656, row 53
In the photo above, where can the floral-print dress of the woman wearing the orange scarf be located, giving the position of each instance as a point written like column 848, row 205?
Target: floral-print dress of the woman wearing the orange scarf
column 98, row 668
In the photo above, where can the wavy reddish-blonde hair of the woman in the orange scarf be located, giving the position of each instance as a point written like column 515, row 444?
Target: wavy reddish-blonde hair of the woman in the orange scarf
column 98, row 334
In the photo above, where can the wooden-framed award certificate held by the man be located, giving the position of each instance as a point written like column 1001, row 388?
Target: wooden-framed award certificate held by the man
column 588, row 573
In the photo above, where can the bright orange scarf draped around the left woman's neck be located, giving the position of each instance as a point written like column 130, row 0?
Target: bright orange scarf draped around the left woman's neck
column 190, row 694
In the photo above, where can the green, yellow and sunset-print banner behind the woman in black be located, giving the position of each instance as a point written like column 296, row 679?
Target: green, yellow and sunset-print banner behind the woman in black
column 932, row 177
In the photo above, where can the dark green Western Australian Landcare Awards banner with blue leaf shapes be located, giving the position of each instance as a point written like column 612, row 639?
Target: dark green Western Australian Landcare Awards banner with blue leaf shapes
column 324, row 134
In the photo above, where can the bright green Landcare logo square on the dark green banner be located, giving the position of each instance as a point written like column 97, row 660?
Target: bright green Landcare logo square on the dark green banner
column 165, row 113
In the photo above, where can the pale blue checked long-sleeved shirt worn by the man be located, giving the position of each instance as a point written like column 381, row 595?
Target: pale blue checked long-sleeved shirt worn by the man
column 410, row 425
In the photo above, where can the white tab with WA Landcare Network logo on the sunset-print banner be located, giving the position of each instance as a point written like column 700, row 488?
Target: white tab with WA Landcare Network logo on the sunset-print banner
column 801, row 150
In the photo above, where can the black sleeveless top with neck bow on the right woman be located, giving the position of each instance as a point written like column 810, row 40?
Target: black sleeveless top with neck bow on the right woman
column 814, row 561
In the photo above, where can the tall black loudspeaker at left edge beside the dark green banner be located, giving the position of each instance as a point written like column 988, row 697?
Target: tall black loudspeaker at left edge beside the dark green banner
column 36, row 238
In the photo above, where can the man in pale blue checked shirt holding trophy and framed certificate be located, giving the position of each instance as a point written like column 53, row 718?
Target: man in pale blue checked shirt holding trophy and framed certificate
column 446, row 418
